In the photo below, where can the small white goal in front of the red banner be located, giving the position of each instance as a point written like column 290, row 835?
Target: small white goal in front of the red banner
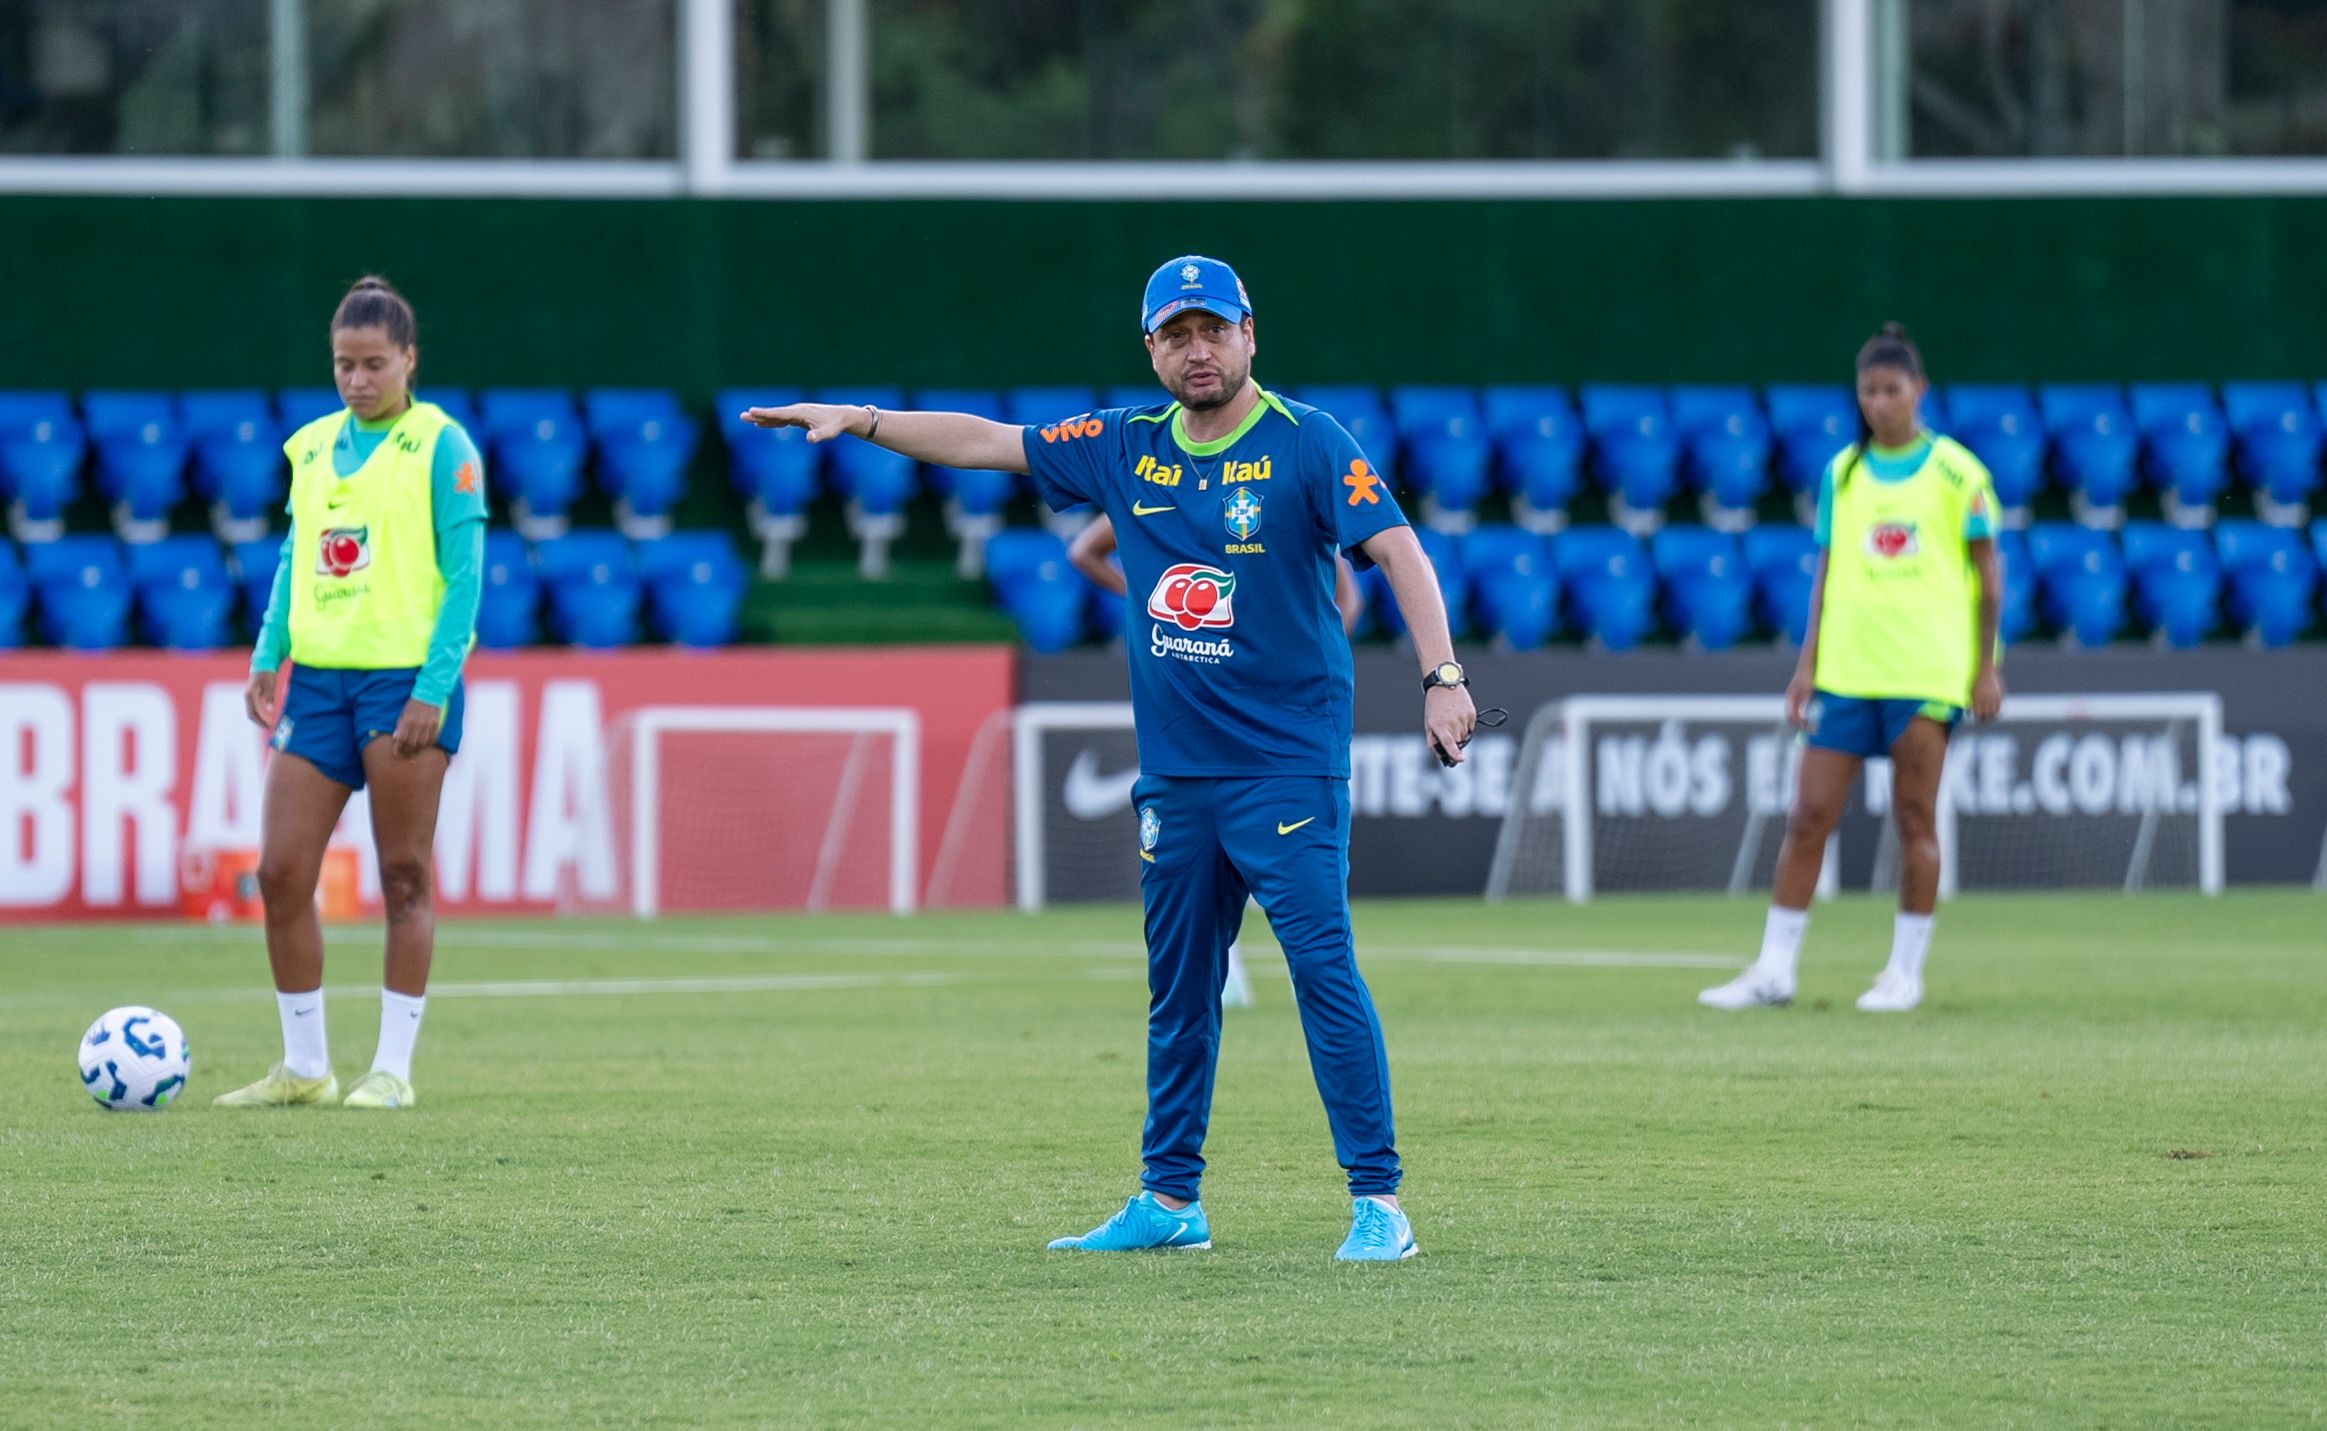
column 760, row 809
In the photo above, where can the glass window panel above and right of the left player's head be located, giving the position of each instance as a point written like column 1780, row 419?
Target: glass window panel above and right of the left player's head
column 494, row 78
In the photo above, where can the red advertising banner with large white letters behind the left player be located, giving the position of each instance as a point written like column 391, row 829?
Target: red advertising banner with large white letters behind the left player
column 606, row 783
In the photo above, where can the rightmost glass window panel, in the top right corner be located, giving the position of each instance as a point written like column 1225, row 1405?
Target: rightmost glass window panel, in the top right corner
column 2105, row 78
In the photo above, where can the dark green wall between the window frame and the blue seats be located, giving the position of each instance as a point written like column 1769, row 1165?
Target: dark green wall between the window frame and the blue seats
column 218, row 292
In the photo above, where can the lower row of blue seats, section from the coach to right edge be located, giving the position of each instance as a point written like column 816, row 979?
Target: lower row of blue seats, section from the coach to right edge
column 1714, row 588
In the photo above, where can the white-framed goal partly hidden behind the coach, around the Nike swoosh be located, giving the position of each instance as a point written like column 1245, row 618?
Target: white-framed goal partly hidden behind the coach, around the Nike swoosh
column 1074, row 836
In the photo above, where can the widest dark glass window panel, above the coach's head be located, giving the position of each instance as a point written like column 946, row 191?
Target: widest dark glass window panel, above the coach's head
column 1348, row 80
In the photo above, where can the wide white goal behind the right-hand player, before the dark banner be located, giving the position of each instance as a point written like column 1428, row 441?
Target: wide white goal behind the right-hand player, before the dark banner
column 1691, row 792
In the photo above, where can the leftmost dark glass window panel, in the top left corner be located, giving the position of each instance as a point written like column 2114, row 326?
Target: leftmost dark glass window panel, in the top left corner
column 145, row 78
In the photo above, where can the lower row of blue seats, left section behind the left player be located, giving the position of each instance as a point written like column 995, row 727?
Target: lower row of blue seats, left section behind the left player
column 183, row 592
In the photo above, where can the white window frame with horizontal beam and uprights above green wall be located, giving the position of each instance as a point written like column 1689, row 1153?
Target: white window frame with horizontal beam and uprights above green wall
column 706, row 164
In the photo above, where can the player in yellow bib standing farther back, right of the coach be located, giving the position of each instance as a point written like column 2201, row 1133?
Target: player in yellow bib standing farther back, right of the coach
column 1902, row 641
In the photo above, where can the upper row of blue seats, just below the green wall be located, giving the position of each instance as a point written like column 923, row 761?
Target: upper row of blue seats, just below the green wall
column 1642, row 443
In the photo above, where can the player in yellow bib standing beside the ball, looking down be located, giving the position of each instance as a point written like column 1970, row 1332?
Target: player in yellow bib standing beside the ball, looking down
column 376, row 604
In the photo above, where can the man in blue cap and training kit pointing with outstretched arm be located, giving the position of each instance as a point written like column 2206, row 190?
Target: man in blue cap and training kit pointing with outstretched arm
column 1230, row 506
